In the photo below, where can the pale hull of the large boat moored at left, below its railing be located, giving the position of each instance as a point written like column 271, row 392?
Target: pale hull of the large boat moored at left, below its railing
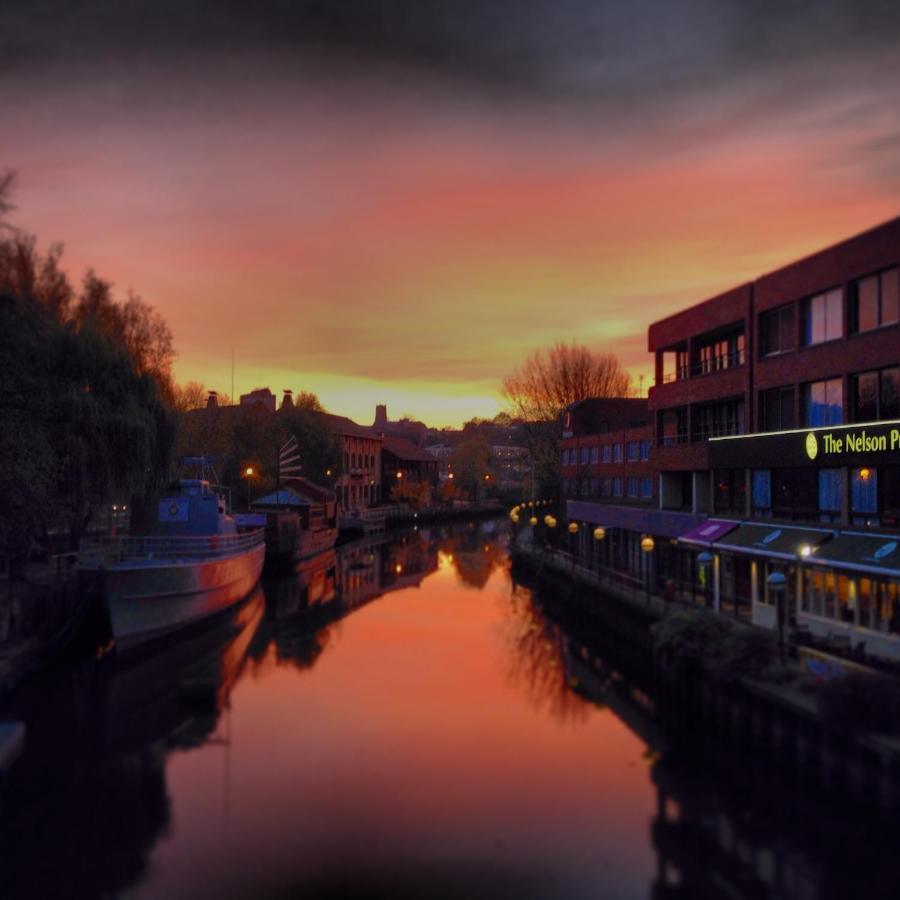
column 146, row 602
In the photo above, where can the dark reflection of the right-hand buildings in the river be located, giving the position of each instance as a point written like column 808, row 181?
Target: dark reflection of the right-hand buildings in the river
column 726, row 826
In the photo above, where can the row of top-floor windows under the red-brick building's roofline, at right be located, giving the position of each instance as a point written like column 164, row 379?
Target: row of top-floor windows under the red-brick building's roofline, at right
column 874, row 302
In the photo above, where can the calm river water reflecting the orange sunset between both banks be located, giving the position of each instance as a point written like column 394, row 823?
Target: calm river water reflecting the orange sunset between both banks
column 401, row 720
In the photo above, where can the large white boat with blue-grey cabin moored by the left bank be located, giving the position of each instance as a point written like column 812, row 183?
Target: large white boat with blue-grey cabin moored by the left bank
column 196, row 567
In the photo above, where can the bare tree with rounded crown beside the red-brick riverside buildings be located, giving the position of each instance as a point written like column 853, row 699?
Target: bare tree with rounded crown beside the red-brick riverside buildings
column 549, row 381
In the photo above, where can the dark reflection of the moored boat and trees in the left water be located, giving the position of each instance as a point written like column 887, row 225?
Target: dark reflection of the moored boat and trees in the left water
column 85, row 805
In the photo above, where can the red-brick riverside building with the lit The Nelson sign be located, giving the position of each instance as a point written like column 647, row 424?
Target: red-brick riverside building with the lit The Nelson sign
column 775, row 450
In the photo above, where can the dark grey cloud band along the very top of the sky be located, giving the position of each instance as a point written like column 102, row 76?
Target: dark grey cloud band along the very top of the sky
column 562, row 48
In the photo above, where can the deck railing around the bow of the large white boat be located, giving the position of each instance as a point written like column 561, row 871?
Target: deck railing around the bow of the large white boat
column 160, row 548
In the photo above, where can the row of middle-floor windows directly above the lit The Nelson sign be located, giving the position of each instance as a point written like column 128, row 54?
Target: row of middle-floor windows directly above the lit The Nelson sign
column 874, row 396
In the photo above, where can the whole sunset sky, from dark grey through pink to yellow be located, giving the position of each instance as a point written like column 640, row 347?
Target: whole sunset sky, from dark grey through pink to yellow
column 397, row 202
